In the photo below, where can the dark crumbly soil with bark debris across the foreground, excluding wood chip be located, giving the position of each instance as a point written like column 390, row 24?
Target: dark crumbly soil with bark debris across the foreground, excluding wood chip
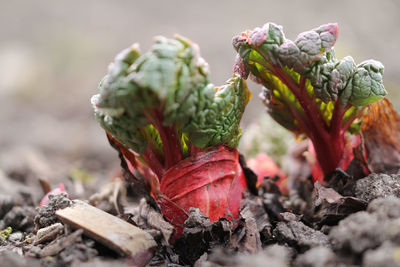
column 329, row 229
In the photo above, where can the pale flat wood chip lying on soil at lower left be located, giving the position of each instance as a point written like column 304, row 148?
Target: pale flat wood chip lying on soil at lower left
column 107, row 229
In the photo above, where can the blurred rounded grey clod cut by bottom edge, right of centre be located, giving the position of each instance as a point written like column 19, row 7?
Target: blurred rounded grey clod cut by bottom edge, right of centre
column 317, row 257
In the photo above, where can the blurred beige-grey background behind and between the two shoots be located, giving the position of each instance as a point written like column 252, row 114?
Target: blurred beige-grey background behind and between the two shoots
column 54, row 53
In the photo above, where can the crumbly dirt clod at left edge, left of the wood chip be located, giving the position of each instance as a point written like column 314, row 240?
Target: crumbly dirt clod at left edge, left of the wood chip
column 19, row 219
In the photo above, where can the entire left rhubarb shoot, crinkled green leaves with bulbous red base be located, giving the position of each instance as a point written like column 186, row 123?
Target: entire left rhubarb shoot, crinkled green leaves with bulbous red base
column 176, row 128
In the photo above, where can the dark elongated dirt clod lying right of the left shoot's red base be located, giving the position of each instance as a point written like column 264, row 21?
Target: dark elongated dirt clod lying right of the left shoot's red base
column 299, row 235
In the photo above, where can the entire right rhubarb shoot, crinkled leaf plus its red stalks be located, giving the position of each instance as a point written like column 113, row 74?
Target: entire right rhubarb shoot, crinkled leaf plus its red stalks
column 307, row 90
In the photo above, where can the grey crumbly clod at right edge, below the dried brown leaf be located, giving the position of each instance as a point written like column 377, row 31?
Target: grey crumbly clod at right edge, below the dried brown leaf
column 378, row 186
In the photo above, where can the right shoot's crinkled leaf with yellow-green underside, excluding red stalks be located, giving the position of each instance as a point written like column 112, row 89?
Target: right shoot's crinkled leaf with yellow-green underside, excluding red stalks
column 269, row 57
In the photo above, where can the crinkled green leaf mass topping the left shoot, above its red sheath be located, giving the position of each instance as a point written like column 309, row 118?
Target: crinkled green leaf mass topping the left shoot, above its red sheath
column 170, row 83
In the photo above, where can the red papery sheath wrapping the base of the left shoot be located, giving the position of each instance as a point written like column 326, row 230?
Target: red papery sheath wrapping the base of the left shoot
column 211, row 180
